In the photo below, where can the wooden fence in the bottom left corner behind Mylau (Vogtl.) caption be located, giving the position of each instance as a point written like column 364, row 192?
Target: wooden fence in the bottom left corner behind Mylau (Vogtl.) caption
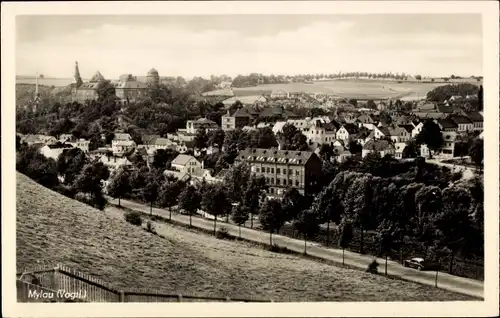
column 63, row 284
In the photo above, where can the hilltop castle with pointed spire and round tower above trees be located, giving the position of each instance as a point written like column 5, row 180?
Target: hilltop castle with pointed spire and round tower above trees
column 127, row 88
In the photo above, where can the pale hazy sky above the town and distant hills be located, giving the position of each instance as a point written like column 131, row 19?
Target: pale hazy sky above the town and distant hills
column 201, row 45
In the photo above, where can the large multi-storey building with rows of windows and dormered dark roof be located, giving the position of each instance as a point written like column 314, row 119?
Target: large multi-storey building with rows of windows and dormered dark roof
column 283, row 169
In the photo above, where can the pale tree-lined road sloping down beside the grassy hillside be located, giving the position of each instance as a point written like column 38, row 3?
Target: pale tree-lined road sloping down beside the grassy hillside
column 445, row 281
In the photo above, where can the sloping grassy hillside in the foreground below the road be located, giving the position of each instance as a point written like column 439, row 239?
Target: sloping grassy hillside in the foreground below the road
column 56, row 229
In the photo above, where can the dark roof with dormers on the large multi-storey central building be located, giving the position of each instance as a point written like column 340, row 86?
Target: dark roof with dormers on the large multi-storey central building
column 275, row 155
